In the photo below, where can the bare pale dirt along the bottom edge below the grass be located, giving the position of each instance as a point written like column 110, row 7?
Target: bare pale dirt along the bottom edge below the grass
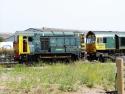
column 83, row 90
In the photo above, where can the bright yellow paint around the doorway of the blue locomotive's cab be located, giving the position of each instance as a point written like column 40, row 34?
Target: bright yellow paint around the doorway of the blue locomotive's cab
column 21, row 46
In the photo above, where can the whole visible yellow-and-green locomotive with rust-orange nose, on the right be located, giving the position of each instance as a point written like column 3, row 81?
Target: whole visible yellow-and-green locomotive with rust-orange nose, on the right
column 105, row 44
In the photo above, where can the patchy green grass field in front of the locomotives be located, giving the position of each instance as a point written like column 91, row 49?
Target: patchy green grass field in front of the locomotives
column 62, row 77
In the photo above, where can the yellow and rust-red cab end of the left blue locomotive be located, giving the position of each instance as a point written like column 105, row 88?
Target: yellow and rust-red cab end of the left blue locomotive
column 22, row 49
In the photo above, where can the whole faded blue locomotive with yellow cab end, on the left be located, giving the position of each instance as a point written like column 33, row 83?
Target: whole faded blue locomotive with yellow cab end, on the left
column 36, row 44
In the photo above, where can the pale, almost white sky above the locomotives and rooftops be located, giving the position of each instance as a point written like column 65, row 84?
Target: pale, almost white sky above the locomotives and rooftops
column 18, row 15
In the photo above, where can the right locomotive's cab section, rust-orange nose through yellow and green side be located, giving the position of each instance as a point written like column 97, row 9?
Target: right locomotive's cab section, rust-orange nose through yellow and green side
column 100, row 44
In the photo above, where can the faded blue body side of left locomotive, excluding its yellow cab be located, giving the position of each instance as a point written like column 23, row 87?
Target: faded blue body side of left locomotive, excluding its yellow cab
column 56, row 45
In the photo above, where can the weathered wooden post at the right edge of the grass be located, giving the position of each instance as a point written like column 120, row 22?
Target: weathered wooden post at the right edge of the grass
column 120, row 75
